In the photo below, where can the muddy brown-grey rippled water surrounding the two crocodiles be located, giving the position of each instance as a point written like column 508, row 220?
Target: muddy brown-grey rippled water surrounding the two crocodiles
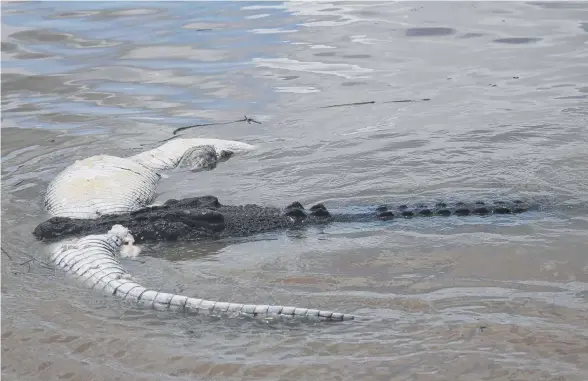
column 496, row 298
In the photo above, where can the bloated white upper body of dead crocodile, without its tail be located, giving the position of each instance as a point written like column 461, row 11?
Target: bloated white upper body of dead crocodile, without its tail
column 106, row 184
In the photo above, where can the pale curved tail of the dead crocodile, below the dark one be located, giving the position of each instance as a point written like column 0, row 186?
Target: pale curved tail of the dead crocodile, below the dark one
column 93, row 261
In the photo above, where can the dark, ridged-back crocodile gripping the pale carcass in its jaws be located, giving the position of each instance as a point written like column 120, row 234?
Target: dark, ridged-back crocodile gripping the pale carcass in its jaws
column 204, row 218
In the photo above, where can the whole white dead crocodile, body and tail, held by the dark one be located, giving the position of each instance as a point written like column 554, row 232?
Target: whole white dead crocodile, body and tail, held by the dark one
column 112, row 185
